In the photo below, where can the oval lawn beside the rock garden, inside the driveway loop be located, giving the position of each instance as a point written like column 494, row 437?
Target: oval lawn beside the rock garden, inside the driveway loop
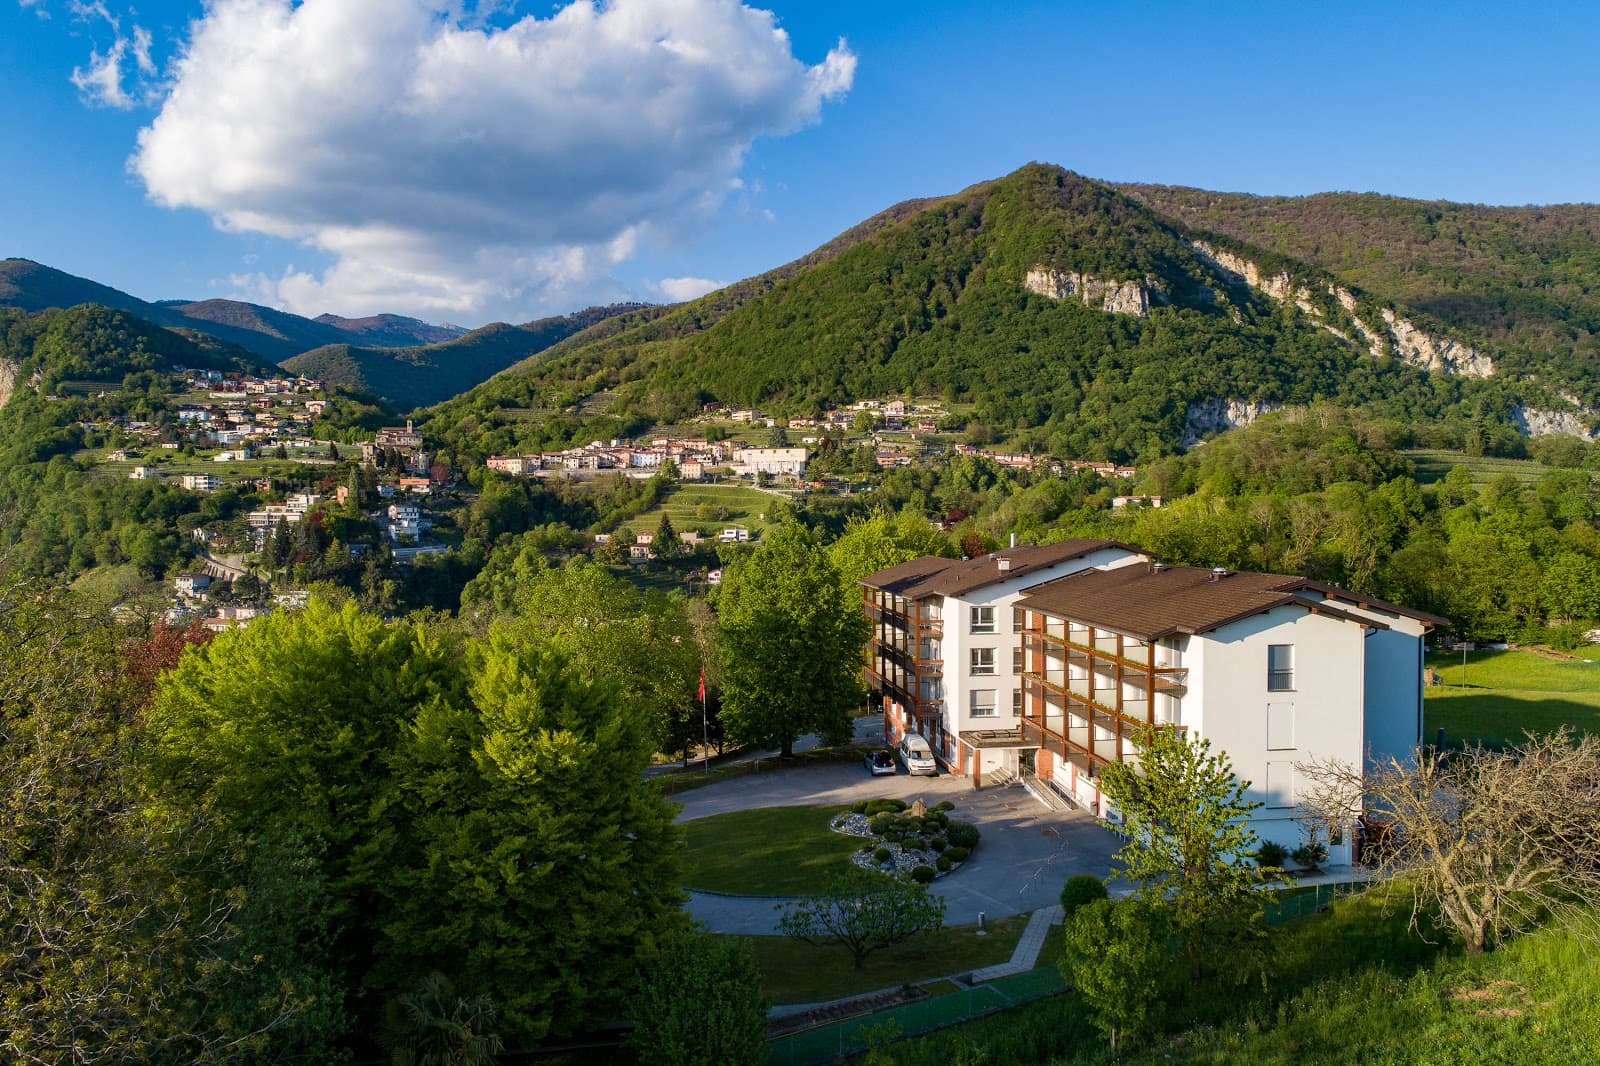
column 766, row 852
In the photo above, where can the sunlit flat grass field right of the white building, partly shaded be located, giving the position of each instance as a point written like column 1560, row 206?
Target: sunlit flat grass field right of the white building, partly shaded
column 1506, row 694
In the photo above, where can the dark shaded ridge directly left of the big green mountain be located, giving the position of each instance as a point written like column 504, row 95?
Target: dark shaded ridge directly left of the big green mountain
column 422, row 375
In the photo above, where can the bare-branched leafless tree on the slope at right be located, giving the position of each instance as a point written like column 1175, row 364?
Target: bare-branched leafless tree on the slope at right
column 1489, row 843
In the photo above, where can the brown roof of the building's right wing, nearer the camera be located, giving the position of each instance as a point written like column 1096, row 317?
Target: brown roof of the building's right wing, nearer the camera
column 1151, row 603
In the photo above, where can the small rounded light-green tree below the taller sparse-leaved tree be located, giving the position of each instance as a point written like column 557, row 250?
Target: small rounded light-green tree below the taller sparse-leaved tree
column 1114, row 955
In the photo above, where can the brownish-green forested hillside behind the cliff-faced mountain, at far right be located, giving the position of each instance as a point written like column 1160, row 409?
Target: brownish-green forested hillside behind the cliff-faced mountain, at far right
column 1524, row 281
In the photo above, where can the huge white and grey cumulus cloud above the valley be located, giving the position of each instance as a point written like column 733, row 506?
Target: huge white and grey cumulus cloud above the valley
column 450, row 166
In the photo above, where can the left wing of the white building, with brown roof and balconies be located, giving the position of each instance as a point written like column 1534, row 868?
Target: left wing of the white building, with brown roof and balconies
column 942, row 654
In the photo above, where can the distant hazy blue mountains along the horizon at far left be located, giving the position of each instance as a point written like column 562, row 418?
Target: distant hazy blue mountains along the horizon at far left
column 274, row 335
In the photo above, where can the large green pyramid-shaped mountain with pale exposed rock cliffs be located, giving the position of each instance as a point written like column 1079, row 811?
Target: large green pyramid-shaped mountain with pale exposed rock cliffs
column 1054, row 313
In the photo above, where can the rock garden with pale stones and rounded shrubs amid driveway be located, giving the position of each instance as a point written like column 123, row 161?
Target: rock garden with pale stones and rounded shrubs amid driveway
column 919, row 843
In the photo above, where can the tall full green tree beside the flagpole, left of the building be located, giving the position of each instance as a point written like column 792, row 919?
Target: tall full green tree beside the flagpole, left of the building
column 791, row 643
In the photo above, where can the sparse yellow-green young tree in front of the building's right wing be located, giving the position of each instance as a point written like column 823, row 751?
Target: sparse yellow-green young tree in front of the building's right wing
column 1188, row 840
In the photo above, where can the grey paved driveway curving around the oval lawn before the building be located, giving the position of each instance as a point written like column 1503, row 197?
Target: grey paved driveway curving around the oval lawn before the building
column 1025, row 857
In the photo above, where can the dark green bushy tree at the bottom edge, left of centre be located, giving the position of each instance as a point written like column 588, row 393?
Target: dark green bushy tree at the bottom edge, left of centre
column 702, row 1003
